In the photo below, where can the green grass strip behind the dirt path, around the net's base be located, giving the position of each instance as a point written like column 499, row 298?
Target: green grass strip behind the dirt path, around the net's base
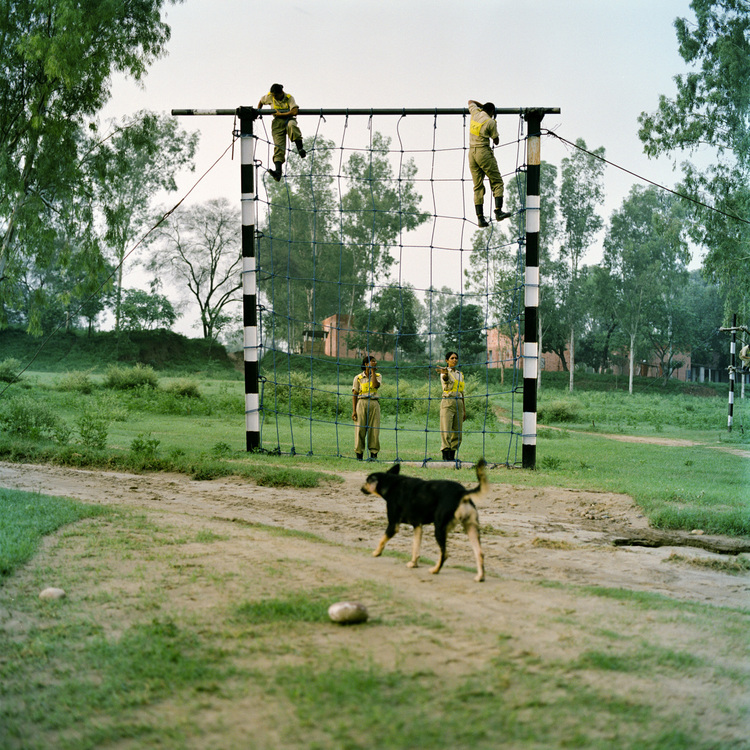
column 196, row 426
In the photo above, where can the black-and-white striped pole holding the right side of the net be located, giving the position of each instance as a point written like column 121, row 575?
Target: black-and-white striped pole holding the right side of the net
column 531, row 286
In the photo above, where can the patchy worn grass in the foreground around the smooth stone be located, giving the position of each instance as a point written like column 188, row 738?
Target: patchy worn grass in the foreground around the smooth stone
column 121, row 664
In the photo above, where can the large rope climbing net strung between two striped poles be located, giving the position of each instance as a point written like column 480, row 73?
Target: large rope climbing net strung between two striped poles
column 370, row 246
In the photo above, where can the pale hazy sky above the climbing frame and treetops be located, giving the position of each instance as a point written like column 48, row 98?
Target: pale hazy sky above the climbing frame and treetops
column 602, row 62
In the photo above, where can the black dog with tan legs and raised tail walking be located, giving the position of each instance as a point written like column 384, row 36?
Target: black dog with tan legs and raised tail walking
column 437, row 501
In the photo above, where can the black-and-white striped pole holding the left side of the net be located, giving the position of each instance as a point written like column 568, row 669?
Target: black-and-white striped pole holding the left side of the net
column 247, row 116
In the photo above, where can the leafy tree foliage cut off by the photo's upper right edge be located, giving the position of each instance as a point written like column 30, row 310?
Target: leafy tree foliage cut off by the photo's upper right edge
column 712, row 109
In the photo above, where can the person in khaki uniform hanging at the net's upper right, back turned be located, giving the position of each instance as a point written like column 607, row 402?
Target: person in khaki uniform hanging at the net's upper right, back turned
column 482, row 161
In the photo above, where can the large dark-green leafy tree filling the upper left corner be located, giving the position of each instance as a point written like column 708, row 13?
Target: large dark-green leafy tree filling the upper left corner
column 58, row 58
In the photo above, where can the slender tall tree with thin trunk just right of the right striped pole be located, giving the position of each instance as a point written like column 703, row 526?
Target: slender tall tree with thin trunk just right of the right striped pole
column 581, row 192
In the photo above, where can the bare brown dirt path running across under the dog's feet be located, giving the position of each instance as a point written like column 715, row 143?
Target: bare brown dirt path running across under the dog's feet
column 529, row 534
